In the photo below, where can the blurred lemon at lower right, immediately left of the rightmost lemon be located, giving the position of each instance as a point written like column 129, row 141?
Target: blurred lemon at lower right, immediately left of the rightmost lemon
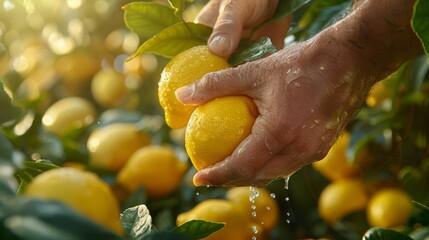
column 341, row 198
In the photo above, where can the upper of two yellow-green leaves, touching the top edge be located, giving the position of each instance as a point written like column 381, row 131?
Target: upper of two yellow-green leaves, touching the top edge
column 147, row 18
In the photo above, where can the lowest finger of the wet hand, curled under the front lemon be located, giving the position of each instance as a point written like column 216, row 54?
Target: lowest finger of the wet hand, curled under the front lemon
column 244, row 163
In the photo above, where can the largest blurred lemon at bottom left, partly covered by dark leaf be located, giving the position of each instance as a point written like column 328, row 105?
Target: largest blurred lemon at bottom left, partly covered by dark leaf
column 83, row 191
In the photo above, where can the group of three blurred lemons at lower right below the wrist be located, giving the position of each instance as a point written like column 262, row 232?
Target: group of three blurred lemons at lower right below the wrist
column 347, row 193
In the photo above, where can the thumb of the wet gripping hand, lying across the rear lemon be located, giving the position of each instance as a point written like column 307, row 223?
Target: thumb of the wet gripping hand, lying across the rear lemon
column 231, row 81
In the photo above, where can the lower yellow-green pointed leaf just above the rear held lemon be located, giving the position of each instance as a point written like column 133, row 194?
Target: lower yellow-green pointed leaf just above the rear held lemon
column 175, row 39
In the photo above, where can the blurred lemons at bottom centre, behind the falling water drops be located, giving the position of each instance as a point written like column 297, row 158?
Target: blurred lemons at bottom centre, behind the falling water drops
column 243, row 218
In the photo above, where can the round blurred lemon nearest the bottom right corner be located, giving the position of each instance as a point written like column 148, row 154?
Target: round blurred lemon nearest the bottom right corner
column 389, row 208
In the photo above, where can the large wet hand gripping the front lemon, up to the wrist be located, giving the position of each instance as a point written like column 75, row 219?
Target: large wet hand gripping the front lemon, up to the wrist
column 305, row 94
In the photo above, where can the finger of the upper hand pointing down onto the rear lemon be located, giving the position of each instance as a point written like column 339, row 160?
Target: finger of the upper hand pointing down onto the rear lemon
column 227, row 29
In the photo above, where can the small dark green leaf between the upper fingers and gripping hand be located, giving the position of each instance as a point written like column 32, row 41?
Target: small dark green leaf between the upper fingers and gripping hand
column 247, row 51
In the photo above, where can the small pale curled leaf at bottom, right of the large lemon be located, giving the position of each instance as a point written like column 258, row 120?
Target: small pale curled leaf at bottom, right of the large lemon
column 137, row 222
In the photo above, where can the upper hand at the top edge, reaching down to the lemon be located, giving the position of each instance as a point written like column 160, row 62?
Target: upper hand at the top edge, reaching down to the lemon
column 231, row 20
